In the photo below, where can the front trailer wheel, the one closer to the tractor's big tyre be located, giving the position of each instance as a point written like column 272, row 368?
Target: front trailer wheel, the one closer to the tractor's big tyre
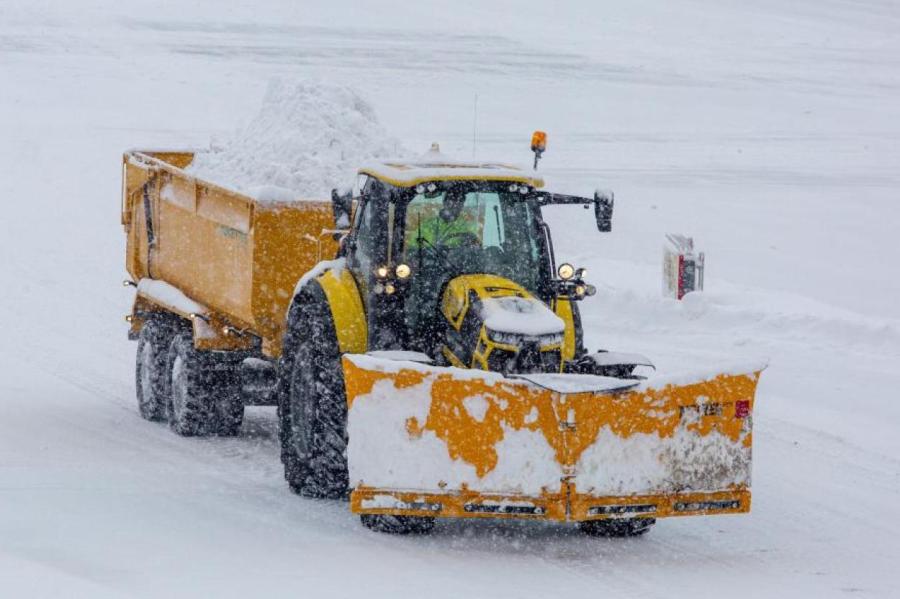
column 205, row 398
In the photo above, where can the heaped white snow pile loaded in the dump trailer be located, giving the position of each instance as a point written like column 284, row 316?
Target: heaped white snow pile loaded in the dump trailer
column 308, row 138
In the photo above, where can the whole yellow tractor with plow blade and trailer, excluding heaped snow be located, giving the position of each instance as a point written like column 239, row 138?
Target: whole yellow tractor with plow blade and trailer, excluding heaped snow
column 424, row 350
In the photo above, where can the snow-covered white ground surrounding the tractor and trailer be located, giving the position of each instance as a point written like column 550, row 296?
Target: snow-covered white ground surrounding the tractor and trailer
column 768, row 130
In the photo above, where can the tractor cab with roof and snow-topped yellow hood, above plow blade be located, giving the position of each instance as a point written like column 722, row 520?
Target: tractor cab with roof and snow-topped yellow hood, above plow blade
column 440, row 248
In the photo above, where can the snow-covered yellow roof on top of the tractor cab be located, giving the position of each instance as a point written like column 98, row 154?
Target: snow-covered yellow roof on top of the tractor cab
column 435, row 166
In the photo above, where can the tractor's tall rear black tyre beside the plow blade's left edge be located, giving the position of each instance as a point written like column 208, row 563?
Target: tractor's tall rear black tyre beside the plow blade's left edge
column 314, row 406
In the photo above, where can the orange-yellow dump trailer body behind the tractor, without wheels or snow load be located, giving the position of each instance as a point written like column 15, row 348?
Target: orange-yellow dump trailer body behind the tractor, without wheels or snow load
column 236, row 257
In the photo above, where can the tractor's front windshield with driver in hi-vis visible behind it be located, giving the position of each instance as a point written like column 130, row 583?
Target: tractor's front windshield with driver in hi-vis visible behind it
column 468, row 229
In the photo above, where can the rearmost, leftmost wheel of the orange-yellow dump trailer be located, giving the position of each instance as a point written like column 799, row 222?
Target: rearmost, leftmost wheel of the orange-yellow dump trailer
column 151, row 375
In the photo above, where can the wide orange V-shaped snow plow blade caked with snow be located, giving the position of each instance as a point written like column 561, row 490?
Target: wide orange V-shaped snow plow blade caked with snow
column 450, row 442
